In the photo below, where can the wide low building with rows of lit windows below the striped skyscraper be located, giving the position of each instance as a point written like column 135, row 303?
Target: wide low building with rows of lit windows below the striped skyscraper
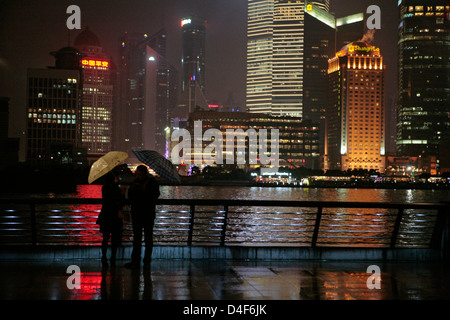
column 298, row 141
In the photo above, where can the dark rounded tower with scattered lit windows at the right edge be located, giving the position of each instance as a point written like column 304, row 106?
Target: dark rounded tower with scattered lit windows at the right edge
column 423, row 121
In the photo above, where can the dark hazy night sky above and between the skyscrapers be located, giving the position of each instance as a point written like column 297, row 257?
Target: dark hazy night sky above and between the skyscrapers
column 30, row 29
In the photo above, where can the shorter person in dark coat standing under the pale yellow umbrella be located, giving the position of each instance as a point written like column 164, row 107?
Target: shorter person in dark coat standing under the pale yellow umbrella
column 111, row 224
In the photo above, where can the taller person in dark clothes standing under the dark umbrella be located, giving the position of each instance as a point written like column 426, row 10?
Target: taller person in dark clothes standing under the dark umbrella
column 143, row 193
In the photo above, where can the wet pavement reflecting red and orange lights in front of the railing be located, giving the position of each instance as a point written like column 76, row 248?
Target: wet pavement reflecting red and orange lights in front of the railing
column 182, row 280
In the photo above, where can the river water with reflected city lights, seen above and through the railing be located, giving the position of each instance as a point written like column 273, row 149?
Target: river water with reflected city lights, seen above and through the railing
column 245, row 224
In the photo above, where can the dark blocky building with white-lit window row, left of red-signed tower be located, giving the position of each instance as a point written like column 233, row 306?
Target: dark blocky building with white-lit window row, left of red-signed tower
column 54, row 110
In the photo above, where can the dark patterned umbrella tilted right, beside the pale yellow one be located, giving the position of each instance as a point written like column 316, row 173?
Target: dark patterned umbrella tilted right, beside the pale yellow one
column 163, row 167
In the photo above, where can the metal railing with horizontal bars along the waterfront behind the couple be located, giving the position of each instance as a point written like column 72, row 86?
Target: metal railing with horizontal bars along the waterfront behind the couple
column 194, row 222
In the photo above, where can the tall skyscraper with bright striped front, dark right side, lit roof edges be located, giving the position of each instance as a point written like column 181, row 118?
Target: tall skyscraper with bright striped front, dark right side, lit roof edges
column 288, row 47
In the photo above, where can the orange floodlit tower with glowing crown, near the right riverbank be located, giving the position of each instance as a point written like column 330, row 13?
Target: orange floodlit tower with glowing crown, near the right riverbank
column 355, row 116
